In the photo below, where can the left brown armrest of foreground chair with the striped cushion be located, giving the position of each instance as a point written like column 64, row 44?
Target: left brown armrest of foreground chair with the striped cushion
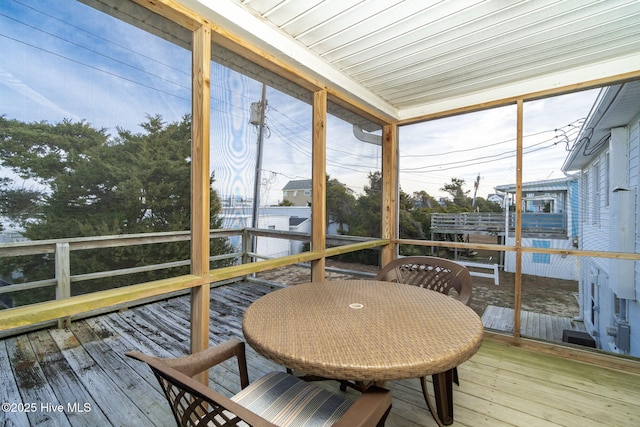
column 201, row 361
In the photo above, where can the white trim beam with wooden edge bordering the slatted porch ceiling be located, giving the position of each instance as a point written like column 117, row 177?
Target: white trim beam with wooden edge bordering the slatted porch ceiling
column 263, row 40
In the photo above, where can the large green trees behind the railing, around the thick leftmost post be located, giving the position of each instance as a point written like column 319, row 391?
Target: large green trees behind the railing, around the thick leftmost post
column 91, row 184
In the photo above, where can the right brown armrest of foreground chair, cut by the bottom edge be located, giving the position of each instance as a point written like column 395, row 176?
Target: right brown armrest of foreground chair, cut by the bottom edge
column 371, row 409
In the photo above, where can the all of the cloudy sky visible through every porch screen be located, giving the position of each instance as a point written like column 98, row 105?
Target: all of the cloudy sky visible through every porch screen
column 62, row 59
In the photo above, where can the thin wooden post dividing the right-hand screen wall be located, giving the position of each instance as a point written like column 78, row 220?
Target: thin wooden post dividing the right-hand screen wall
column 518, row 225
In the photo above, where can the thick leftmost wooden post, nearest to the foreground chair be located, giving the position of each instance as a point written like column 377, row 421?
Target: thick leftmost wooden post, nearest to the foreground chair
column 200, row 188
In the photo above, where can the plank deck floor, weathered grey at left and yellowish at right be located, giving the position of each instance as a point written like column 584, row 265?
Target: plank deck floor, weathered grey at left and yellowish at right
column 79, row 376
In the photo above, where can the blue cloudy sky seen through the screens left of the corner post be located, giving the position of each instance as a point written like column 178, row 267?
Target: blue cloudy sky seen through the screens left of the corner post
column 69, row 61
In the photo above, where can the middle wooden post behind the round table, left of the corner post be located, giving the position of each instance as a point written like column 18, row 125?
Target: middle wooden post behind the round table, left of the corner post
column 319, row 180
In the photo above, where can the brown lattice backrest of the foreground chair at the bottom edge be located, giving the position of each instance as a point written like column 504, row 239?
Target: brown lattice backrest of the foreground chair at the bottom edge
column 194, row 404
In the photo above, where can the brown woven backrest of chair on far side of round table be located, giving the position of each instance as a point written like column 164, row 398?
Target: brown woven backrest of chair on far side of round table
column 438, row 274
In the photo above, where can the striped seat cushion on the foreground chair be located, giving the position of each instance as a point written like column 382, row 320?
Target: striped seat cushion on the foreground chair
column 288, row 401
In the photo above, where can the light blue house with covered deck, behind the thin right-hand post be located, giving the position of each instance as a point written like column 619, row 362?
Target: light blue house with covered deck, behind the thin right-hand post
column 549, row 220
